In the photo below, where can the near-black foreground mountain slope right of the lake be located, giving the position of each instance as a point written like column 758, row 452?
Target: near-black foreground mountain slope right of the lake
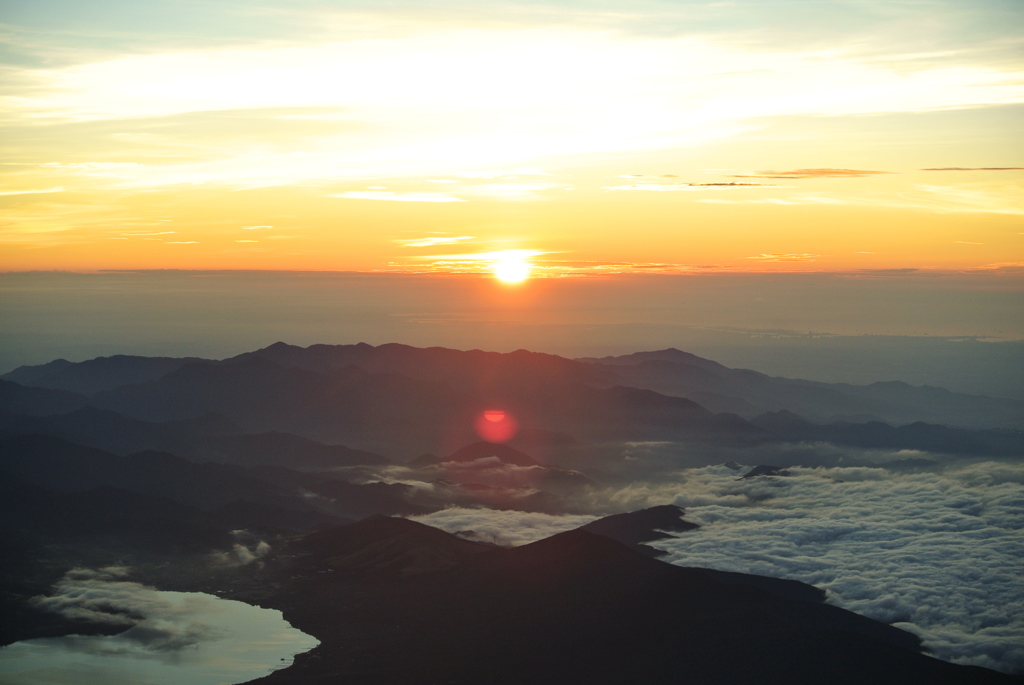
column 574, row 609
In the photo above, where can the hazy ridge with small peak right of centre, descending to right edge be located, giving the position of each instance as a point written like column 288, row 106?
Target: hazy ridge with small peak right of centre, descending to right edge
column 750, row 394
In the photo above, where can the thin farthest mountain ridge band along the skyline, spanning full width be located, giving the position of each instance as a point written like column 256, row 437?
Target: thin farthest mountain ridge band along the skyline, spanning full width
column 671, row 372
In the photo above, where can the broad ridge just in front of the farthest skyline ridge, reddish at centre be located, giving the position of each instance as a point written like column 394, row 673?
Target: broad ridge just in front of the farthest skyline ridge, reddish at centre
column 390, row 412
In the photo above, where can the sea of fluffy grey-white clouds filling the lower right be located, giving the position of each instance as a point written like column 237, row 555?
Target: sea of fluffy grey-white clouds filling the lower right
column 934, row 552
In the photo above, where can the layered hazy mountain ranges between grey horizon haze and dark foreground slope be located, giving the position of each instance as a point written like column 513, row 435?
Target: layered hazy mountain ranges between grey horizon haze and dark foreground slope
column 289, row 439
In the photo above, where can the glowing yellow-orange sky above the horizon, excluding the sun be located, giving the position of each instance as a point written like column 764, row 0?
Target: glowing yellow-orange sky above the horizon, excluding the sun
column 598, row 138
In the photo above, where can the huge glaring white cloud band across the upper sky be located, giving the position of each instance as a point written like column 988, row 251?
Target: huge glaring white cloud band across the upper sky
column 399, row 104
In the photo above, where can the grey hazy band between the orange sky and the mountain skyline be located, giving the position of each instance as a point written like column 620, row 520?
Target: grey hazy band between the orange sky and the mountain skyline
column 951, row 330
